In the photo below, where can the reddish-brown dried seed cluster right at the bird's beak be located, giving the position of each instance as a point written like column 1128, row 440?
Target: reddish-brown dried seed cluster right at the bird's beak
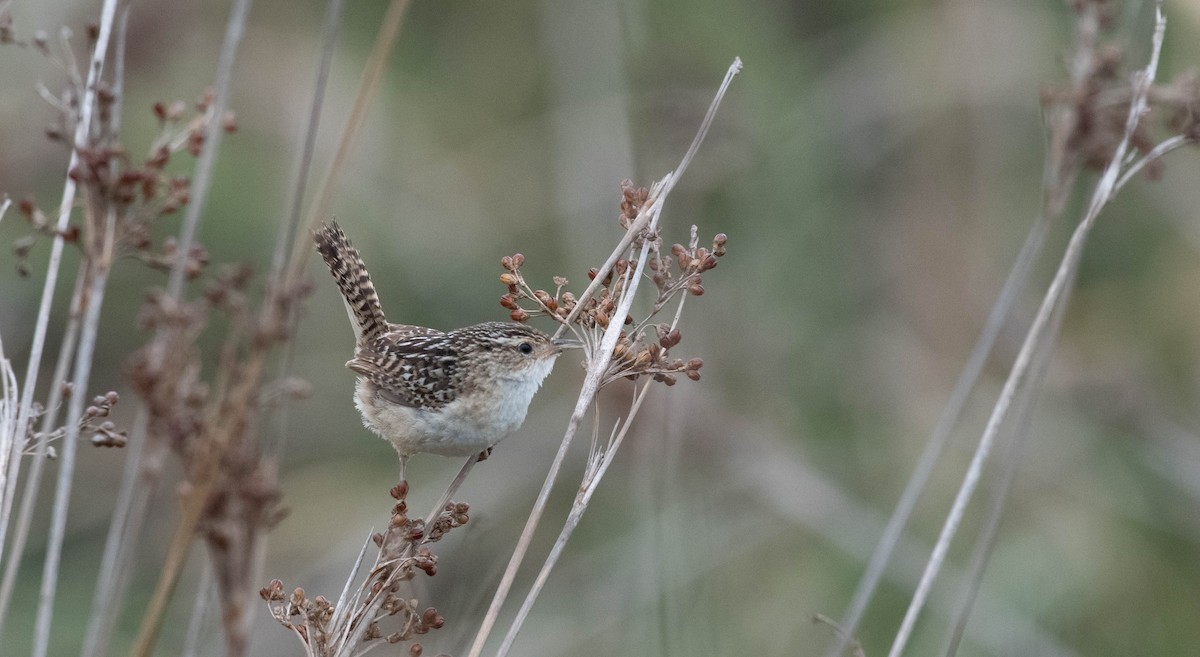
column 645, row 348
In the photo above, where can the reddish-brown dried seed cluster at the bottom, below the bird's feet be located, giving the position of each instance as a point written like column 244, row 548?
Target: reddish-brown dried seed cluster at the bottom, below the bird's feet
column 327, row 630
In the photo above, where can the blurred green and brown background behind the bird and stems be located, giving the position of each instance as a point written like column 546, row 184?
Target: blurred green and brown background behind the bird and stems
column 875, row 166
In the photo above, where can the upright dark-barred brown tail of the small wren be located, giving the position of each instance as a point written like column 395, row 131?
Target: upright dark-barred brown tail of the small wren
column 355, row 282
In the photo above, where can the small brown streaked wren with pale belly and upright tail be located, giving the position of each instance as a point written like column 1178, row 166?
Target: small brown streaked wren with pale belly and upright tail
column 427, row 391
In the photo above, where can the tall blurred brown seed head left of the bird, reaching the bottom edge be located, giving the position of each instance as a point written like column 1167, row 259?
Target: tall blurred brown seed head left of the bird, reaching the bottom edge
column 213, row 426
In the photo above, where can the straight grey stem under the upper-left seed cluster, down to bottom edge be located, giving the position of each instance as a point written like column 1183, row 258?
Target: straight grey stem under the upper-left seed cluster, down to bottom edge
column 94, row 300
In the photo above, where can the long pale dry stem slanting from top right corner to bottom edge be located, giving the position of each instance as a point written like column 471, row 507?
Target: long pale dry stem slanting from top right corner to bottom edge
column 1040, row 333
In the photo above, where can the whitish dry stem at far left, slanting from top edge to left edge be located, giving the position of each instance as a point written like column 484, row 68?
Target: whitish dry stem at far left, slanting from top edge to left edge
column 83, row 124
